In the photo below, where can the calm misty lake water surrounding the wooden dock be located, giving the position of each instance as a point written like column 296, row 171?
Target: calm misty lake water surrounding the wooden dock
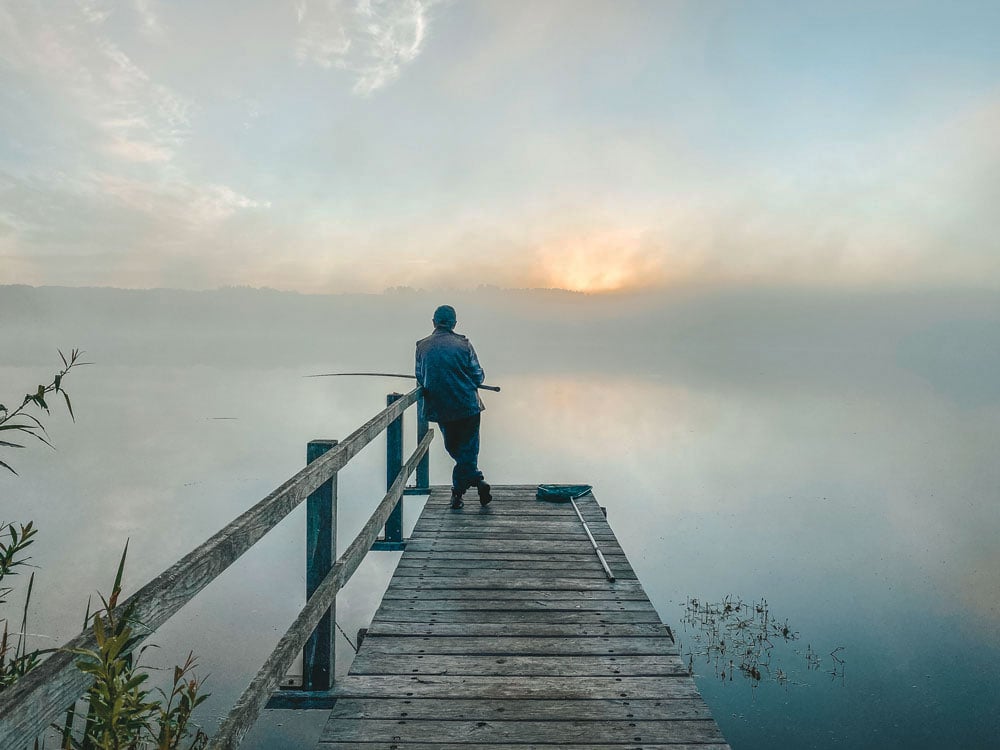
column 852, row 483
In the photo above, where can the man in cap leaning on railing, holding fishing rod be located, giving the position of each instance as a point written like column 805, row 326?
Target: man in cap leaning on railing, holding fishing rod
column 450, row 373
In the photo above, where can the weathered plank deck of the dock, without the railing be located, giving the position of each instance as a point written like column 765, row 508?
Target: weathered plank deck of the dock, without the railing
column 500, row 628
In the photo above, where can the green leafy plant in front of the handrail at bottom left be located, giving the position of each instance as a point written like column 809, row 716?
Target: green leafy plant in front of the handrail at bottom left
column 123, row 714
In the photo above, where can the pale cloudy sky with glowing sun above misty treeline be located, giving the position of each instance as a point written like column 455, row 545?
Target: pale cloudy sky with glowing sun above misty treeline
column 357, row 145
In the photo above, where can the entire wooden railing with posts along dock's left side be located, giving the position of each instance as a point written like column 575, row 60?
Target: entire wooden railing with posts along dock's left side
column 43, row 695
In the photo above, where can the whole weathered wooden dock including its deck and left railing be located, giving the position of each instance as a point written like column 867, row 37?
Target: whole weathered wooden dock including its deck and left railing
column 499, row 629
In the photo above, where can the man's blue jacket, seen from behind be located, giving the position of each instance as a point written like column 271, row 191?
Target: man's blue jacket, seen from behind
column 449, row 371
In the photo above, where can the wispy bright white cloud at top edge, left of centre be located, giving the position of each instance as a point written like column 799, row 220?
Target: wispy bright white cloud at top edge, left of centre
column 372, row 39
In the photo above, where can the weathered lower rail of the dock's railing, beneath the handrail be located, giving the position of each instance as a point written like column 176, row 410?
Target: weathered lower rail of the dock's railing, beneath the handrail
column 243, row 715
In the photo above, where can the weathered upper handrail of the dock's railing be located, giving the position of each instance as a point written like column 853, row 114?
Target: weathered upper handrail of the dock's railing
column 37, row 699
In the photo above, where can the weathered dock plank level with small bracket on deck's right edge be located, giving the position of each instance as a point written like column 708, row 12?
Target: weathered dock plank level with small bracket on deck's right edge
column 515, row 629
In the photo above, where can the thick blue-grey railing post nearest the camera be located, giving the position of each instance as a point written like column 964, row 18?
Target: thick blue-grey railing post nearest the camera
column 318, row 656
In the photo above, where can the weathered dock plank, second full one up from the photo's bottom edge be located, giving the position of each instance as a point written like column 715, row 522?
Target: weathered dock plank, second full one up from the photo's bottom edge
column 529, row 710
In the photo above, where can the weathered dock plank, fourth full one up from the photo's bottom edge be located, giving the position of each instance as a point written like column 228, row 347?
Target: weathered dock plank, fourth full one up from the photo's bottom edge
column 661, row 665
